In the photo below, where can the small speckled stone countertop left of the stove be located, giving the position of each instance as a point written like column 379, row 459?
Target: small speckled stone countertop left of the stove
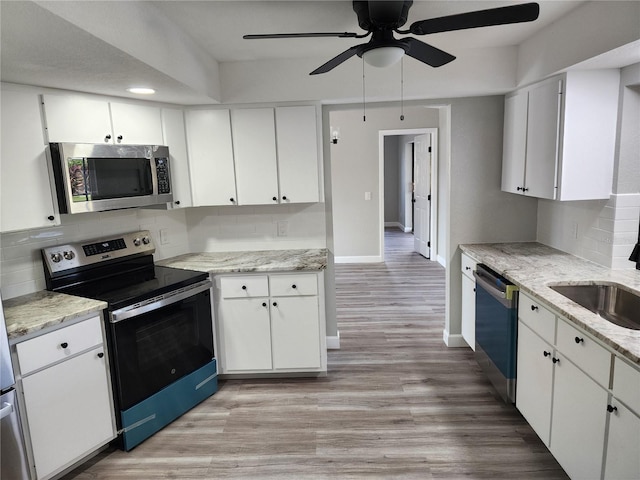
column 31, row 313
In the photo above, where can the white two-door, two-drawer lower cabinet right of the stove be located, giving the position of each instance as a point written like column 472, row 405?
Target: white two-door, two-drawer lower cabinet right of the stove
column 270, row 323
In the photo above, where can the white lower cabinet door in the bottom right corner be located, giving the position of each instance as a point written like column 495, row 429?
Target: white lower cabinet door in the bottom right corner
column 623, row 447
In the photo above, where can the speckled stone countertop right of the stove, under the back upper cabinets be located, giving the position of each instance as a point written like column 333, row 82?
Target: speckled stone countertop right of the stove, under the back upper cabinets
column 250, row 261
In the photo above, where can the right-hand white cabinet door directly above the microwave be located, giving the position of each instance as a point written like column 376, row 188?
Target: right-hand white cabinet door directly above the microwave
column 136, row 124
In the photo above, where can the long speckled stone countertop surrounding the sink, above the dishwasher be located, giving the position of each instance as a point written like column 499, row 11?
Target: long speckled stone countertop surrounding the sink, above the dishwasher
column 533, row 267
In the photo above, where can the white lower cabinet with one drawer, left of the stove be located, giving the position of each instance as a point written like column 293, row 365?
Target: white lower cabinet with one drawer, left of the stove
column 68, row 404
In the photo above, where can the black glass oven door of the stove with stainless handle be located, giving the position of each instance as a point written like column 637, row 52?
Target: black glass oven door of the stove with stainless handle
column 155, row 344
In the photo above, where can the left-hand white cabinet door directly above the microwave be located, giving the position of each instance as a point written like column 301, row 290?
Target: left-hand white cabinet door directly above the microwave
column 77, row 119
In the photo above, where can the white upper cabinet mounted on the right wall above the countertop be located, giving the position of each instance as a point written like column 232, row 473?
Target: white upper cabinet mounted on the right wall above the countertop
column 559, row 137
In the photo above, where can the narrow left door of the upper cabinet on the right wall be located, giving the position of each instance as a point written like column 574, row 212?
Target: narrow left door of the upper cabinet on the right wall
column 514, row 142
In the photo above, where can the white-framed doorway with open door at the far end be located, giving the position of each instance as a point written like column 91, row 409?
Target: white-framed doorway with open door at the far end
column 408, row 185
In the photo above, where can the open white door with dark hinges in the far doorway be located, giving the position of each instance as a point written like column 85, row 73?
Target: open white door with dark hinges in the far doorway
column 422, row 189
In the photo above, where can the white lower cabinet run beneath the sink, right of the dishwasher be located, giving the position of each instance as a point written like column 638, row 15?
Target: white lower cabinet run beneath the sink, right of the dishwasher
column 563, row 391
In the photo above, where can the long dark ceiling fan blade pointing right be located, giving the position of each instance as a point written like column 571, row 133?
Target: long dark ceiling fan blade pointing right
column 526, row 12
